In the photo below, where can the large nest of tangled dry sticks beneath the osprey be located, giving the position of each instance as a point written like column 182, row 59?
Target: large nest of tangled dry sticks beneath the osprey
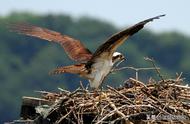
column 135, row 102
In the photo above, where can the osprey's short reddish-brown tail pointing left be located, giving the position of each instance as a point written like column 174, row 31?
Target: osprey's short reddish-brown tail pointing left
column 73, row 69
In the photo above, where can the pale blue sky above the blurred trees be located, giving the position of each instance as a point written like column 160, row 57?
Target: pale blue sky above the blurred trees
column 121, row 13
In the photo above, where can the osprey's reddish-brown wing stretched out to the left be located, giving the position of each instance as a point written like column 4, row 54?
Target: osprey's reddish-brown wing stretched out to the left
column 74, row 48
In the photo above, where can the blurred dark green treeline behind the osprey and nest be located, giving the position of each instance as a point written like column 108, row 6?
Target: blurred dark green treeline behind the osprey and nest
column 25, row 61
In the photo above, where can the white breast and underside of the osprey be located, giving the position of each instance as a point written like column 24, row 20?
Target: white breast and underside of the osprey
column 100, row 70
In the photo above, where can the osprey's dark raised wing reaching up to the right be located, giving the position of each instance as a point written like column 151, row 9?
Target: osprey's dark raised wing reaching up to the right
column 108, row 48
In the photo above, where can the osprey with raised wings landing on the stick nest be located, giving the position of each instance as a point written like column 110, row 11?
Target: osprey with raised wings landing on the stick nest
column 92, row 66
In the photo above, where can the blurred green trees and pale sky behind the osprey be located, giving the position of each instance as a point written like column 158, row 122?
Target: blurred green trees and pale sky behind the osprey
column 25, row 61
